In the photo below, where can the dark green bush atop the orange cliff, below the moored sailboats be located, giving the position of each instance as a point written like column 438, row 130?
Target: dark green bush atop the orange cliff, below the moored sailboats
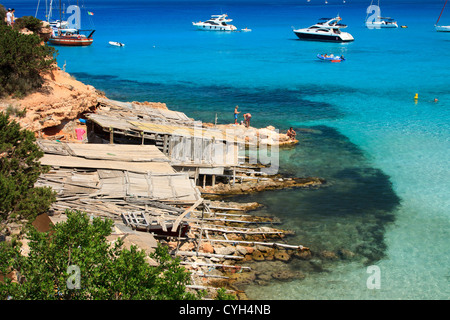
column 23, row 60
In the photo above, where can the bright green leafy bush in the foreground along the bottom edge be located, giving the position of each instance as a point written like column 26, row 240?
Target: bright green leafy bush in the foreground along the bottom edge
column 106, row 271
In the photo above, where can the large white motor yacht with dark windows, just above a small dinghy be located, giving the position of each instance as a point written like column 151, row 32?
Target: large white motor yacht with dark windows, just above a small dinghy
column 327, row 29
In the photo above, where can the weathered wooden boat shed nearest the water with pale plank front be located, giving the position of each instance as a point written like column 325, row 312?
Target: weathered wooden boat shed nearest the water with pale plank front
column 200, row 151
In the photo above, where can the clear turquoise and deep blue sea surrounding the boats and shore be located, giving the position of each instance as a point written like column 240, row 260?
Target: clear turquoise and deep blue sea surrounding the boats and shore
column 384, row 155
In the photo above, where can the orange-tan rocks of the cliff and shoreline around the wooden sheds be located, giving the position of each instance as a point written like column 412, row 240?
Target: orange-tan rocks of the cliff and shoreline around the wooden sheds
column 236, row 238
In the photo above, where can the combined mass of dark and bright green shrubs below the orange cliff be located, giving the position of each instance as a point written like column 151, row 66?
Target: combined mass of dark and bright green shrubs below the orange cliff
column 75, row 260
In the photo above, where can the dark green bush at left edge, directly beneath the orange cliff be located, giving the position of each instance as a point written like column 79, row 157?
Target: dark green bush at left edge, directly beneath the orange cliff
column 19, row 171
